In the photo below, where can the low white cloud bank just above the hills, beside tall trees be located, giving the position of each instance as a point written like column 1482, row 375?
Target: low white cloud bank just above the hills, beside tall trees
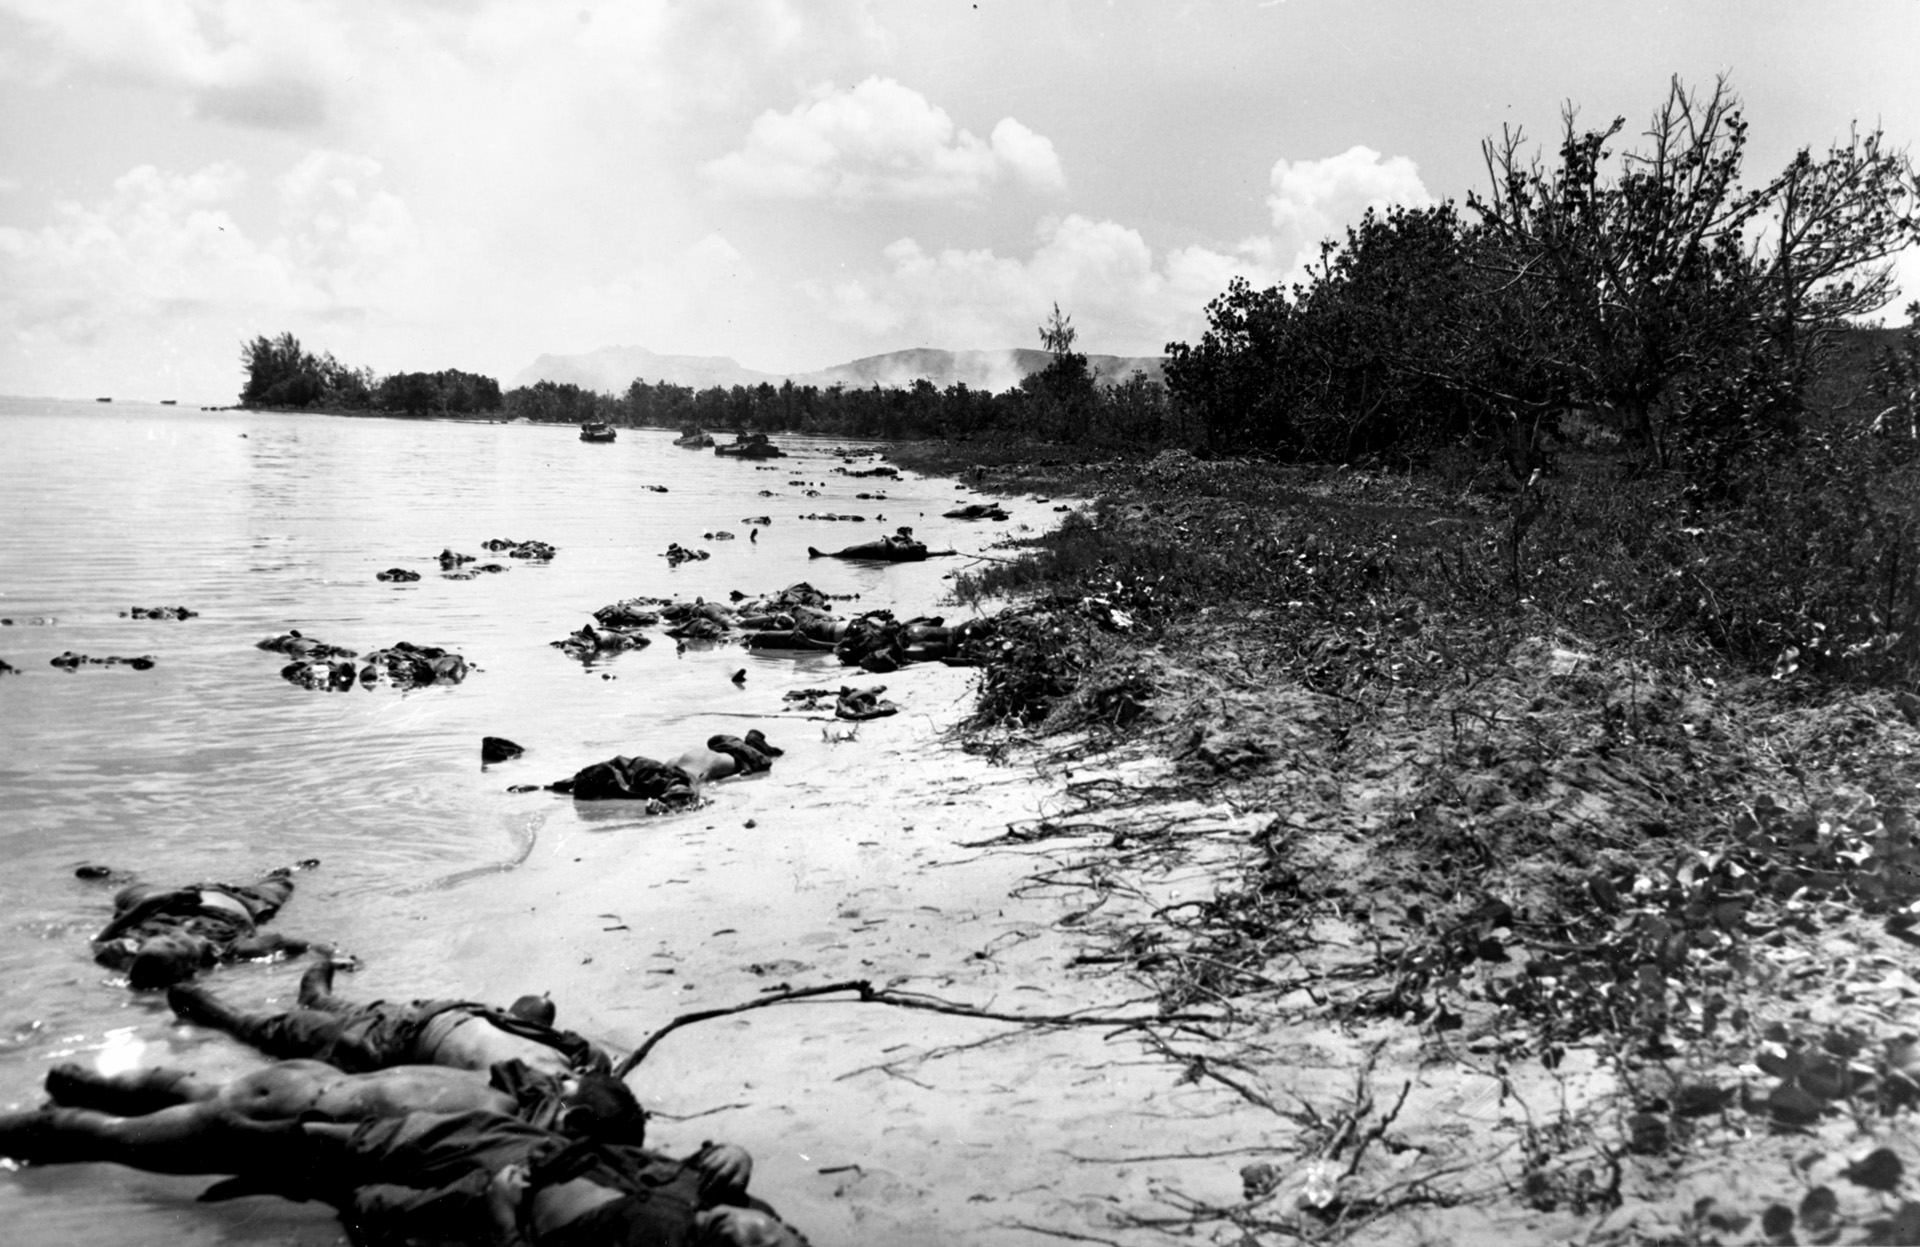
column 1105, row 276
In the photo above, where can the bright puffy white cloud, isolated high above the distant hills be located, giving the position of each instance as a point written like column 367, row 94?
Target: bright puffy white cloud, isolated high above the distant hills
column 880, row 141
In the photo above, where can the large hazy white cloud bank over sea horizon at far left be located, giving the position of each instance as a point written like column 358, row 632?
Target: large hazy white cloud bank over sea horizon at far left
column 160, row 278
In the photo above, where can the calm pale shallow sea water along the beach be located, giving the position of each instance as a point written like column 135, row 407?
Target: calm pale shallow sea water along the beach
column 210, row 768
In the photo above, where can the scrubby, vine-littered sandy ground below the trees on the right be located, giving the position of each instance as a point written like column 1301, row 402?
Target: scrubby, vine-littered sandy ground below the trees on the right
column 1545, row 933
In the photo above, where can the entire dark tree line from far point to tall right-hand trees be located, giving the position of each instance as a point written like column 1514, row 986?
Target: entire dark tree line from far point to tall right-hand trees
column 1639, row 295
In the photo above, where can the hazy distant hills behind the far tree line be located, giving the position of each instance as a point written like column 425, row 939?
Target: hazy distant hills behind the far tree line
column 612, row 370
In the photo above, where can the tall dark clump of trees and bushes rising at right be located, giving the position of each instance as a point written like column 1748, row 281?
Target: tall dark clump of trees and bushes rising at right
column 1639, row 293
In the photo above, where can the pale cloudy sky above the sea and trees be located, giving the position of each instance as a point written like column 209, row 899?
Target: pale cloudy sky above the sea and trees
column 416, row 185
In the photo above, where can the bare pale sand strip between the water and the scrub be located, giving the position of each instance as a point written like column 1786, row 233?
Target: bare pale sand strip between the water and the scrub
column 853, row 869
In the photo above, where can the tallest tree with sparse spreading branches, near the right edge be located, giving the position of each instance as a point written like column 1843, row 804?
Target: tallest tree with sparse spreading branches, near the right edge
column 1685, row 303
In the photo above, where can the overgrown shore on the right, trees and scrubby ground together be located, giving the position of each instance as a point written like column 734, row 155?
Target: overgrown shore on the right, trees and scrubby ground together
column 1545, row 591
